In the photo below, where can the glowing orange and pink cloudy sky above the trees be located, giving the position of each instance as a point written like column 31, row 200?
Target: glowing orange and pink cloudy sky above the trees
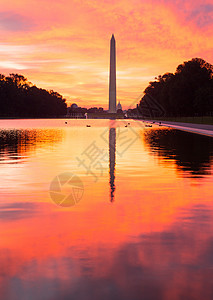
column 64, row 45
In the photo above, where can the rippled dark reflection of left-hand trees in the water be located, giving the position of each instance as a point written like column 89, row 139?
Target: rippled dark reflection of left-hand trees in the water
column 15, row 143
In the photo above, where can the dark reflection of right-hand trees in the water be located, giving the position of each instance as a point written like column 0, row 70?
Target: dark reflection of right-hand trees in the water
column 191, row 152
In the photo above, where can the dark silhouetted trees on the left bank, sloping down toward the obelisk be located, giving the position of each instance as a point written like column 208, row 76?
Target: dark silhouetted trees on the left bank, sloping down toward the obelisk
column 20, row 98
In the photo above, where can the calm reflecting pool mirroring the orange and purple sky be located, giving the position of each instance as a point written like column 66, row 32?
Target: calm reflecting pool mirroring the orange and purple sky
column 139, row 227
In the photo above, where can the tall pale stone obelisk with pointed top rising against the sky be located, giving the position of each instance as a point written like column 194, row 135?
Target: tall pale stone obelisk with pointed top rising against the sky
column 112, row 77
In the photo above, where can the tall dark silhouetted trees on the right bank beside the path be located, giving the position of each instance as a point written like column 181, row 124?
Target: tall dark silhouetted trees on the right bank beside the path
column 187, row 92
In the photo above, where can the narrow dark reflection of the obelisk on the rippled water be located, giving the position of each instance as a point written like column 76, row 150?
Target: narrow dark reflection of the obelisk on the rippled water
column 112, row 161
